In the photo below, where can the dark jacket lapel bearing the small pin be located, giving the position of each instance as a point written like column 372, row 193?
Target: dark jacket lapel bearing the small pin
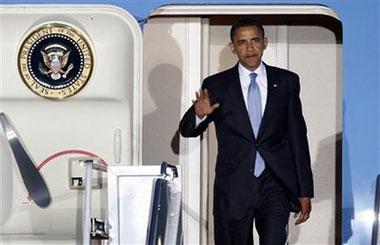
column 270, row 103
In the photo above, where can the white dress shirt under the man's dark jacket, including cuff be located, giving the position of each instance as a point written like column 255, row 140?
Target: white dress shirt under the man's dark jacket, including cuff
column 245, row 80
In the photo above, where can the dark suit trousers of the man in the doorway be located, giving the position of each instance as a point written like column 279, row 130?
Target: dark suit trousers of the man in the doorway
column 269, row 209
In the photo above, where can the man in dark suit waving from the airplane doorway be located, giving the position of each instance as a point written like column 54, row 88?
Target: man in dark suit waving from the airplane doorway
column 263, row 163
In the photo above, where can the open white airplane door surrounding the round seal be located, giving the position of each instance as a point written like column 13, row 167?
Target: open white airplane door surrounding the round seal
column 103, row 119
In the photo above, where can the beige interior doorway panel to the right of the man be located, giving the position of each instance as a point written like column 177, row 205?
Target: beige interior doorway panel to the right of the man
column 317, row 57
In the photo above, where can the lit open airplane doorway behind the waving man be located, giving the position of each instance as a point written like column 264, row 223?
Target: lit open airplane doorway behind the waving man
column 184, row 44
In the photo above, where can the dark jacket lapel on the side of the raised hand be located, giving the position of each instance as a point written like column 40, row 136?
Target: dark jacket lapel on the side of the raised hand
column 235, row 93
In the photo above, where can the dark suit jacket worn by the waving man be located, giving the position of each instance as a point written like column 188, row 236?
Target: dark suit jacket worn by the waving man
column 281, row 140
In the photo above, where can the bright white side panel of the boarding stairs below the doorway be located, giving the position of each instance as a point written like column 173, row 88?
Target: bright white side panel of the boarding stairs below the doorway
column 129, row 200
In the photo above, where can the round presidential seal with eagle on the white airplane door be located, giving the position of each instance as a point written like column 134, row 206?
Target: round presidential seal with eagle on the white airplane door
column 55, row 60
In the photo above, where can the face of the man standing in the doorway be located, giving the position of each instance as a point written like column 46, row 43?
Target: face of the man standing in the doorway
column 248, row 44
